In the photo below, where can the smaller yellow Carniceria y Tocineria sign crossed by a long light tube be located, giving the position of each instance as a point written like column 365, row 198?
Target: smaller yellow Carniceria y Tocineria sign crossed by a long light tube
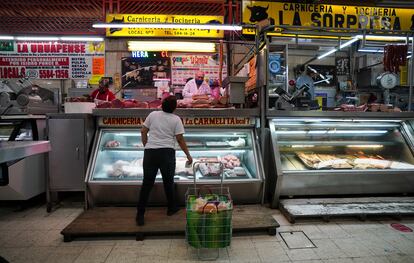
column 159, row 19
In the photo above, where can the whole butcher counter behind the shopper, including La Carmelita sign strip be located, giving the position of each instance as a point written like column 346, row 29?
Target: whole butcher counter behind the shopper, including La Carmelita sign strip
column 228, row 136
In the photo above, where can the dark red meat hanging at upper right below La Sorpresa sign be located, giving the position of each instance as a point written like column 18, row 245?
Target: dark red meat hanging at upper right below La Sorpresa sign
column 394, row 57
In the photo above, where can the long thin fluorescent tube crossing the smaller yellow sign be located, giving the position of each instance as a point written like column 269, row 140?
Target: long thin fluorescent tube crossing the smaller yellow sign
column 182, row 26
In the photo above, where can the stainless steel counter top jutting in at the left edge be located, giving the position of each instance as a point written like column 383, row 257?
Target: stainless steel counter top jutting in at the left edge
column 13, row 150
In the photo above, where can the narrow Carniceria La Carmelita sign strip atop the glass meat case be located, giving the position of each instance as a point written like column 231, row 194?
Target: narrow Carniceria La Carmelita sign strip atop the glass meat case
column 187, row 121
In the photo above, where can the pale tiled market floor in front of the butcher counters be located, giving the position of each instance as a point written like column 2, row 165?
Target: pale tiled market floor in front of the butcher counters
column 34, row 236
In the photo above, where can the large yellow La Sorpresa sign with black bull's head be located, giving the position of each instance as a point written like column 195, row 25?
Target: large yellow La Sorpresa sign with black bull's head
column 328, row 16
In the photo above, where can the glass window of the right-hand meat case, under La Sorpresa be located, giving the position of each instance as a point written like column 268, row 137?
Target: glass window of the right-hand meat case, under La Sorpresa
column 317, row 144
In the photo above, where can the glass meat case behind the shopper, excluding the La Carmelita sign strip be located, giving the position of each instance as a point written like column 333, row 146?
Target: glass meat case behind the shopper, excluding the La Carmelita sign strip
column 118, row 155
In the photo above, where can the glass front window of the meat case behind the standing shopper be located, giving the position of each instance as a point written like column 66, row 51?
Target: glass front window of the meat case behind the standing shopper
column 120, row 153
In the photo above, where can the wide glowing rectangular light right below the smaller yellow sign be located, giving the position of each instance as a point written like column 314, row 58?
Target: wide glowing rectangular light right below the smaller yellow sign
column 171, row 46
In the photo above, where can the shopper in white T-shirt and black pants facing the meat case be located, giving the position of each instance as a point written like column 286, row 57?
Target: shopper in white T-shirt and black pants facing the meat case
column 159, row 133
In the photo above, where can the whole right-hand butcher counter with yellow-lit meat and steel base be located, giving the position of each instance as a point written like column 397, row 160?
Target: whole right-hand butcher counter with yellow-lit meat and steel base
column 341, row 153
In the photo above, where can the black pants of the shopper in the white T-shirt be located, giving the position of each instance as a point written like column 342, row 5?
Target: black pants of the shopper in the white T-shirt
column 164, row 160
